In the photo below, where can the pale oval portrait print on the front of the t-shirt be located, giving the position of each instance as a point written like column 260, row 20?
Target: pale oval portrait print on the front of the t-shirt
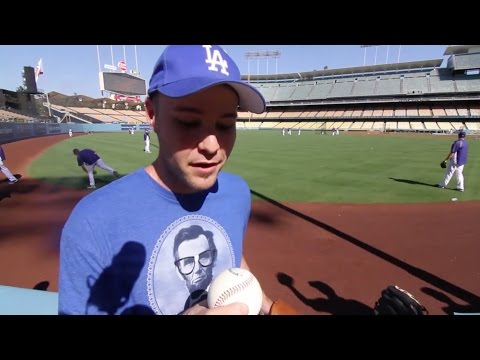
column 187, row 256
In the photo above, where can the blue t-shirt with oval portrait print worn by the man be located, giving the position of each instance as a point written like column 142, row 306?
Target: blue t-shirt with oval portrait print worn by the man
column 133, row 247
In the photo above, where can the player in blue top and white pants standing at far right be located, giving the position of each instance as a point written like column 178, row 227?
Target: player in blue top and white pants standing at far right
column 457, row 158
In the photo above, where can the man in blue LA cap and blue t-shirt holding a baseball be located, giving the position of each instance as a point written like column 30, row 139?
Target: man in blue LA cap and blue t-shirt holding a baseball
column 194, row 94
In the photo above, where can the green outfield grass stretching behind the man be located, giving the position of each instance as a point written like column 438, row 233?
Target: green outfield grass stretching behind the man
column 310, row 167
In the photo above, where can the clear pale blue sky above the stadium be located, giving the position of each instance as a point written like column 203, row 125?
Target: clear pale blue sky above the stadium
column 73, row 69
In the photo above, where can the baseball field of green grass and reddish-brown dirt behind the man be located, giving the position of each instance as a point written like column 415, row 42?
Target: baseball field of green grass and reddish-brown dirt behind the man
column 335, row 219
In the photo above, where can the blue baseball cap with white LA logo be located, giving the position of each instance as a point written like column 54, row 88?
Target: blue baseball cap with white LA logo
column 184, row 70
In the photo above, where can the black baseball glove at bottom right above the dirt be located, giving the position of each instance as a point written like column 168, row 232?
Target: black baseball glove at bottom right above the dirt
column 397, row 301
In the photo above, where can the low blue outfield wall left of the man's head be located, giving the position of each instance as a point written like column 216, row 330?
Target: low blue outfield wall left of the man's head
column 11, row 131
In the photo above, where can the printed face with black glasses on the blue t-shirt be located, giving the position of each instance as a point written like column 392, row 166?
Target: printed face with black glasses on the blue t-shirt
column 195, row 263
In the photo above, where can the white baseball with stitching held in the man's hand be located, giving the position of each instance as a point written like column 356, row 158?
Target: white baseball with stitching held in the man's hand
column 236, row 285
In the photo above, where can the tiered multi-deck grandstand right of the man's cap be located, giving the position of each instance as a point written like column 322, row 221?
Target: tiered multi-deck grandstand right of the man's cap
column 419, row 96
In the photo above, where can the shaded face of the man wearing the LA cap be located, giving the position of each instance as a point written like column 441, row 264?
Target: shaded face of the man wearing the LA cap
column 196, row 135
